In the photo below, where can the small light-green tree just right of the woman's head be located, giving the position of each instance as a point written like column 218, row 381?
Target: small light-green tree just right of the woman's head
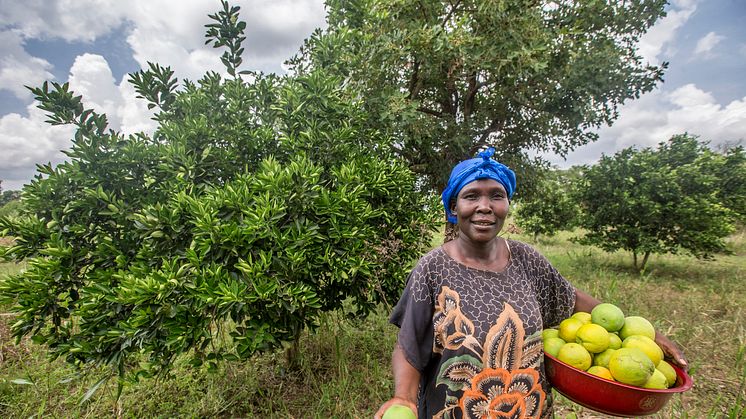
column 552, row 209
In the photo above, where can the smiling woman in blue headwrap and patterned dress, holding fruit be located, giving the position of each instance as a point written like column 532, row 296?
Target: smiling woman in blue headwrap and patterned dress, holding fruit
column 473, row 310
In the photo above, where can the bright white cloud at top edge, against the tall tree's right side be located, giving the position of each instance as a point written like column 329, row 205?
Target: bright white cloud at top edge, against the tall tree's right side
column 660, row 37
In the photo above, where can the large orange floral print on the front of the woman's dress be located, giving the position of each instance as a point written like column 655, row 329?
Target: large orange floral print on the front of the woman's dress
column 499, row 379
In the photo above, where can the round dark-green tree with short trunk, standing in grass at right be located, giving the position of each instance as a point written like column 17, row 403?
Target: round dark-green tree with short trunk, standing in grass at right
column 656, row 201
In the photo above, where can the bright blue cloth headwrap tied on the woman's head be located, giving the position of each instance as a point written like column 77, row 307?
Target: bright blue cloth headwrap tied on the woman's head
column 482, row 167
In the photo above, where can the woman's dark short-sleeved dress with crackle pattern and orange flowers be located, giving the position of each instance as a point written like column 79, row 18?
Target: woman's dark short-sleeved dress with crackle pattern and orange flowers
column 475, row 335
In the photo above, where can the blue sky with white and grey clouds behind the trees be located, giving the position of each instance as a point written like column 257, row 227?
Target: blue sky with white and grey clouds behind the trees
column 95, row 44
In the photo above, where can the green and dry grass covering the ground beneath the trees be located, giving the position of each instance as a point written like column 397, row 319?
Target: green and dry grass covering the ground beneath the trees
column 344, row 368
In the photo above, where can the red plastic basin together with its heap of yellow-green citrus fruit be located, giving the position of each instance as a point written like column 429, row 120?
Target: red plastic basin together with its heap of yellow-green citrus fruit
column 610, row 363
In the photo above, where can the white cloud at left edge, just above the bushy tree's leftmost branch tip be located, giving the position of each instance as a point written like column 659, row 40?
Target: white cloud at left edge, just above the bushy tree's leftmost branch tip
column 18, row 68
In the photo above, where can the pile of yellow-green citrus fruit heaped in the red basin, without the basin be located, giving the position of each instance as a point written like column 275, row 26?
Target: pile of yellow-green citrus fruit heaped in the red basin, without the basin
column 607, row 344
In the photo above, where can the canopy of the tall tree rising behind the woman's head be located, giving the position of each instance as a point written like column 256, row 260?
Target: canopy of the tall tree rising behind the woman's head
column 447, row 78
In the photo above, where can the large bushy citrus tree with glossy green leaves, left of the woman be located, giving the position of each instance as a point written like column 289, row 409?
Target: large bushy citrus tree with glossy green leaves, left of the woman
column 257, row 205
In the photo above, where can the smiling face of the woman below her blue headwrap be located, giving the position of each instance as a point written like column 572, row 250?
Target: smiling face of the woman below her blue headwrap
column 481, row 209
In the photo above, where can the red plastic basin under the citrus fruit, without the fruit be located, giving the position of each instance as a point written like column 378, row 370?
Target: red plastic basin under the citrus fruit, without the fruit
column 610, row 397
